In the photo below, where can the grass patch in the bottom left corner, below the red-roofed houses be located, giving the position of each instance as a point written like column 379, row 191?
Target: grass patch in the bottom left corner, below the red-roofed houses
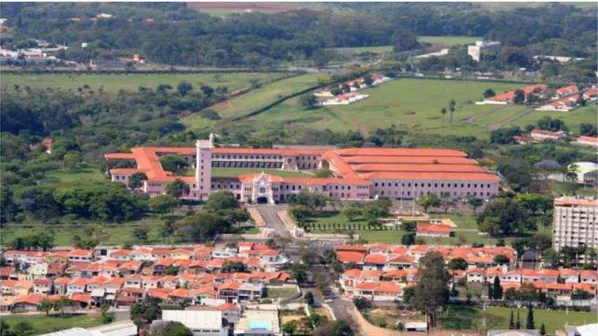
column 48, row 324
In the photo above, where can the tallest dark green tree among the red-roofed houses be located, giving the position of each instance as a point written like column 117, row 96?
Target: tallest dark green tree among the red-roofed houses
column 431, row 292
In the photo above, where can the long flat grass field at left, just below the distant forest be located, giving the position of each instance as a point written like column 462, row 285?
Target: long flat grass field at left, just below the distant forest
column 113, row 83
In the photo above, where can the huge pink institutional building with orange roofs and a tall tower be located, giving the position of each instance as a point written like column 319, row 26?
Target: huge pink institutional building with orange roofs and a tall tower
column 359, row 173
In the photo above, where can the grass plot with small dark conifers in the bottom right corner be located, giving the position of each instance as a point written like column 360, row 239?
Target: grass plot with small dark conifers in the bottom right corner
column 465, row 317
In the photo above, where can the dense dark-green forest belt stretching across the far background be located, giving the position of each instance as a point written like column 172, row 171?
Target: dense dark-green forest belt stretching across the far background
column 174, row 34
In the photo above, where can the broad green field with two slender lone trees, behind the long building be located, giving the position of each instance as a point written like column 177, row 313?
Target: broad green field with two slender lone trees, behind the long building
column 412, row 104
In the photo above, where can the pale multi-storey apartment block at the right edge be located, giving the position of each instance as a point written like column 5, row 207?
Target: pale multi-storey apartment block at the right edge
column 575, row 223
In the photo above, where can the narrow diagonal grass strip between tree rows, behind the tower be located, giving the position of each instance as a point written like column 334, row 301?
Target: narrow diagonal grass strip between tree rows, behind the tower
column 253, row 100
